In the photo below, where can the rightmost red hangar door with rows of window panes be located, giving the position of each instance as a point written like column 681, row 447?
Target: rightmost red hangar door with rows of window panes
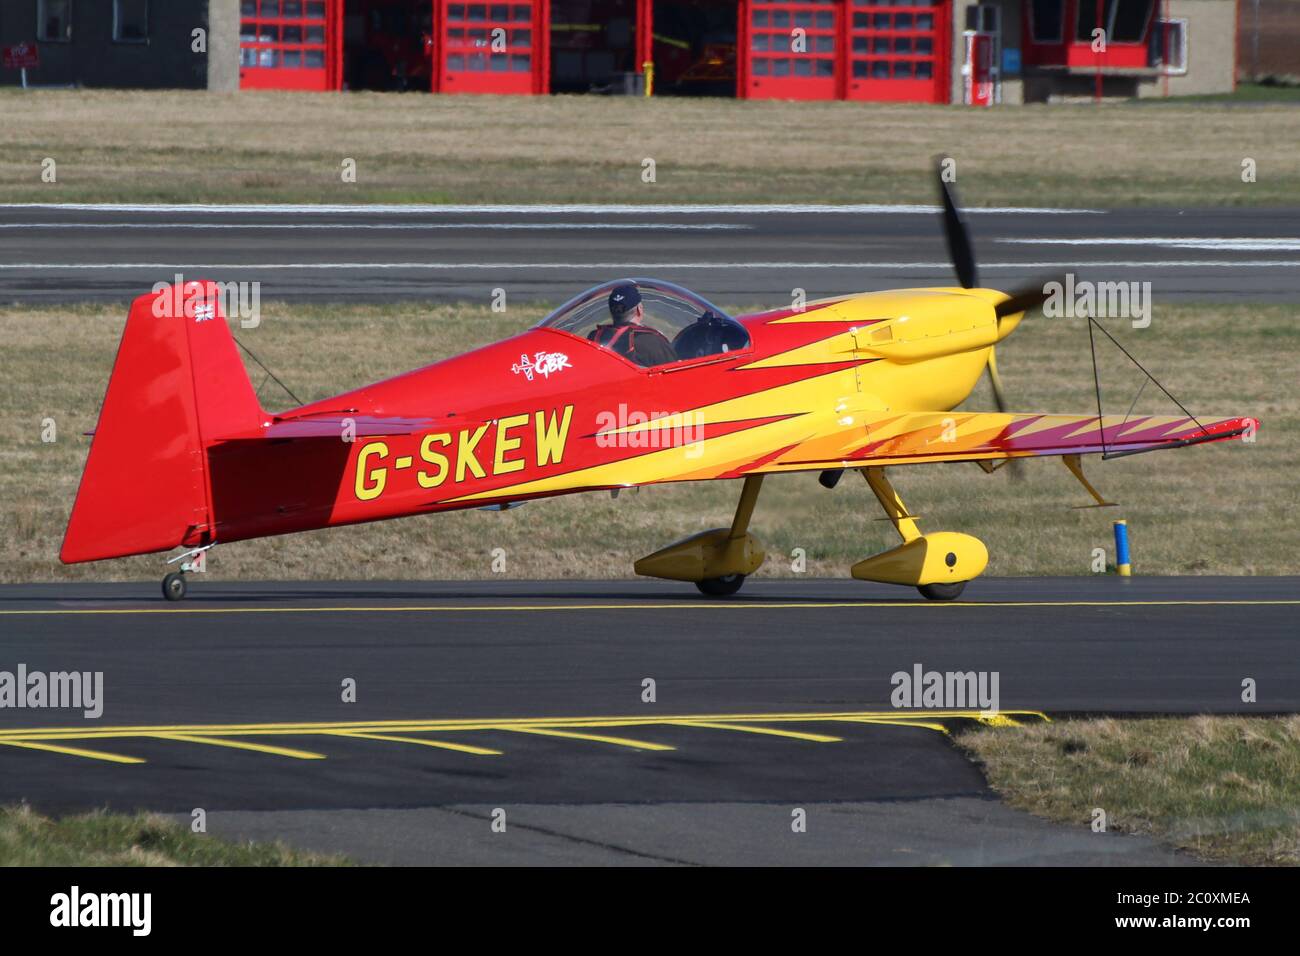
column 899, row 50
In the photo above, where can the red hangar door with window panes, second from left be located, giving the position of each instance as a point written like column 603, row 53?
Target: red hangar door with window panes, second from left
column 492, row 47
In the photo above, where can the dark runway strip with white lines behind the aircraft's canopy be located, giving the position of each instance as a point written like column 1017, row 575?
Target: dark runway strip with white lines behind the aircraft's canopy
column 742, row 254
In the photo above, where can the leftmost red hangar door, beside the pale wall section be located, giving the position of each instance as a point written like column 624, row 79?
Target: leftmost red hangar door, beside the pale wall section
column 291, row 45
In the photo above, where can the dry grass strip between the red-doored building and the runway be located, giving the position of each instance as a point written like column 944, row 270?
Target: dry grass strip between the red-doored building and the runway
column 184, row 146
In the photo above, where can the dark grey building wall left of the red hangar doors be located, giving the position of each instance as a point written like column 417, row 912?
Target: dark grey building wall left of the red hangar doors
column 93, row 59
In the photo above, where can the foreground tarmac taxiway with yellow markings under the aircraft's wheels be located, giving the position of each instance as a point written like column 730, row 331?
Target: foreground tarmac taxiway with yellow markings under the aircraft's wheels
column 531, row 698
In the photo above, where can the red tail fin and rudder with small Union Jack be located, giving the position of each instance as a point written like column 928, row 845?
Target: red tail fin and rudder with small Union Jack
column 177, row 384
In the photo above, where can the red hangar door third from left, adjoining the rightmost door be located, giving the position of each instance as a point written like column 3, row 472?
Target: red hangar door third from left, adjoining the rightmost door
column 790, row 50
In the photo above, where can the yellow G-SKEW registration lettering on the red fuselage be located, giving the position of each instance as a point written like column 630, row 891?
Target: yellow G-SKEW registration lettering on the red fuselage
column 502, row 447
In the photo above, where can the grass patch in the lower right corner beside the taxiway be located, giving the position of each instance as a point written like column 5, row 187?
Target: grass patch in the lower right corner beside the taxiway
column 1223, row 788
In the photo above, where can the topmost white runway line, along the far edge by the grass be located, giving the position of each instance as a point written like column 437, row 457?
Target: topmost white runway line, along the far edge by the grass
column 545, row 210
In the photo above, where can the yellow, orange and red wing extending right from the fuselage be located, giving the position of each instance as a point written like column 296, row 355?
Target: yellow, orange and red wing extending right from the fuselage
column 954, row 436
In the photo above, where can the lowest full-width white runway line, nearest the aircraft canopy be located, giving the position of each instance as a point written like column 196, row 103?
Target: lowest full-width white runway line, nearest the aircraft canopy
column 640, row 269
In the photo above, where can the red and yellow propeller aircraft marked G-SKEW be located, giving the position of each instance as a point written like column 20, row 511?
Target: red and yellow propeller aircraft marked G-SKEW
column 185, row 456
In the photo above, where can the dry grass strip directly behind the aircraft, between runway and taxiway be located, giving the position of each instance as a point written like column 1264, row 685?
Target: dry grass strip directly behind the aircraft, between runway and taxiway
column 1221, row 509
